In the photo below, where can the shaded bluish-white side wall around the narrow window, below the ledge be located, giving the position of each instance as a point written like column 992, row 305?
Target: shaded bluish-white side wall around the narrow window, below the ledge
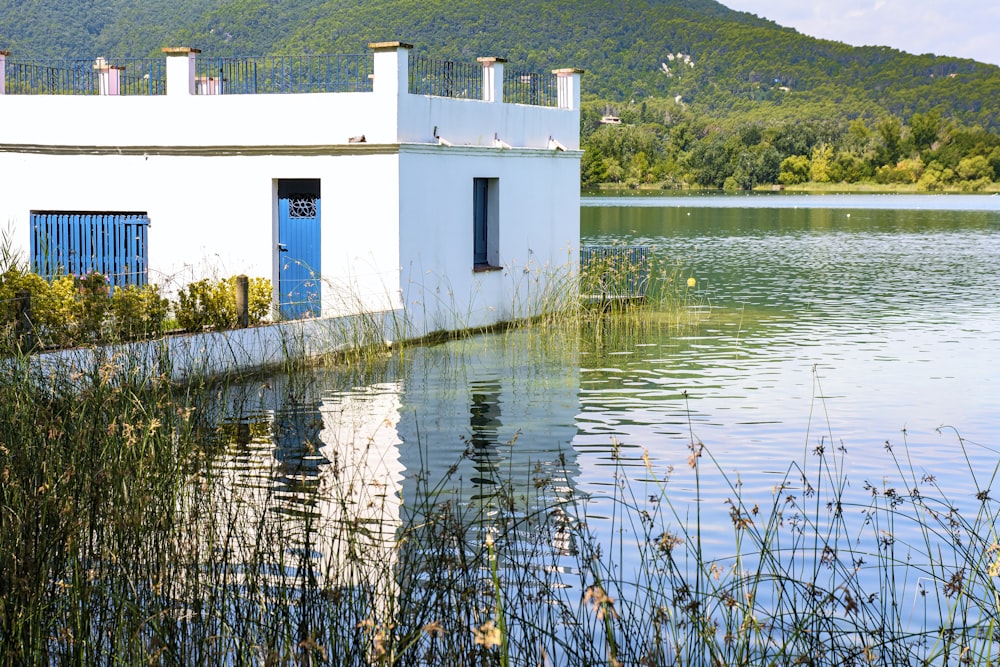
column 538, row 225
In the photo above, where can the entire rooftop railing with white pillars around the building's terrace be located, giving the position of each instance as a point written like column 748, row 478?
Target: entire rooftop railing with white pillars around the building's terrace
column 486, row 80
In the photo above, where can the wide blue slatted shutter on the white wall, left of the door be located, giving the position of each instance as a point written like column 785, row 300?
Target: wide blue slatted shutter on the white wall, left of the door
column 79, row 243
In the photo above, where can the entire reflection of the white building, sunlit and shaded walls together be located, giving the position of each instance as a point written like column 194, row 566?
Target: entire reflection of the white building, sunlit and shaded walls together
column 339, row 488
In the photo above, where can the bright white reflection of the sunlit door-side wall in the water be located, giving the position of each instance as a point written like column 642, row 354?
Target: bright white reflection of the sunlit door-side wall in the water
column 309, row 492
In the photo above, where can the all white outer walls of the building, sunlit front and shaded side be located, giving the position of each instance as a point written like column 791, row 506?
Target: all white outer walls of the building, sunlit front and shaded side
column 396, row 210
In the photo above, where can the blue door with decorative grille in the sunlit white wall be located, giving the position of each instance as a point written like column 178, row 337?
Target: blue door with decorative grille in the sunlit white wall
column 299, row 248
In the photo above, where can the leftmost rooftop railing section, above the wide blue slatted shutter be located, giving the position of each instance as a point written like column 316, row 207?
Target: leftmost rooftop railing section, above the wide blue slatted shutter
column 114, row 76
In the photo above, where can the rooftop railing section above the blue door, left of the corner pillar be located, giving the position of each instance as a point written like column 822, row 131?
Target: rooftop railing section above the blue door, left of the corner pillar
column 339, row 73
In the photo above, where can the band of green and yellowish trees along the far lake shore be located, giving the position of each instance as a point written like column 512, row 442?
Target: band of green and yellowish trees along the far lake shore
column 660, row 143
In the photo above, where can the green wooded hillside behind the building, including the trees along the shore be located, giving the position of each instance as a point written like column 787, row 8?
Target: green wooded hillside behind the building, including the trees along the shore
column 707, row 94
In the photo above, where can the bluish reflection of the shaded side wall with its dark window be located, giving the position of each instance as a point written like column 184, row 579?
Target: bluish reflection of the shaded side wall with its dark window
column 487, row 426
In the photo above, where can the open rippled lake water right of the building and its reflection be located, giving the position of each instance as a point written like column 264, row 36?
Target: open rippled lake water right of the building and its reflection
column 846, row 323
